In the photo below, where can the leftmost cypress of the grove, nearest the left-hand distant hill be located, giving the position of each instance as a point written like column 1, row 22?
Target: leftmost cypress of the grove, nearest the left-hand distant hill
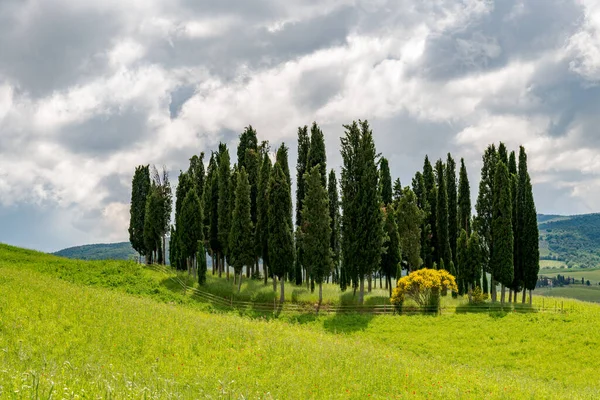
column 140, row 187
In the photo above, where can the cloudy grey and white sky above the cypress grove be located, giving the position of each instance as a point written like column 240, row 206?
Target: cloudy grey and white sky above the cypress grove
column 90, row 89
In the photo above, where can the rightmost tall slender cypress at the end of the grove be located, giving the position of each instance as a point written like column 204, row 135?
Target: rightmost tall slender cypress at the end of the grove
column 528, row 228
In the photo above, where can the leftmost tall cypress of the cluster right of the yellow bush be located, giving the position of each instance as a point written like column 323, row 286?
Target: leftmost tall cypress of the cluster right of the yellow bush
column 484, row 205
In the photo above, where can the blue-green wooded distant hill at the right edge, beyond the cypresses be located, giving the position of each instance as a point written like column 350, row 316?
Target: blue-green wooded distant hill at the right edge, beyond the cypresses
column 573, row 240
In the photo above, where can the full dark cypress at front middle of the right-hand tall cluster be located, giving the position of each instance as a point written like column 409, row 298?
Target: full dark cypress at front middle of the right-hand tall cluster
column 501, row 261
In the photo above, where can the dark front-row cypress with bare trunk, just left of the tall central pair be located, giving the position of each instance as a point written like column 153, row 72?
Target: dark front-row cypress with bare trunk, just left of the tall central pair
column 280, row 240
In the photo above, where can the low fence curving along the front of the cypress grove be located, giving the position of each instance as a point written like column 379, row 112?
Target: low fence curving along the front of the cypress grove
column 550, row 306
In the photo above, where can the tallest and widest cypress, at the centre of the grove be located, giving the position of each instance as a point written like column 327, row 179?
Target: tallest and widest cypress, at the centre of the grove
column 362, row 235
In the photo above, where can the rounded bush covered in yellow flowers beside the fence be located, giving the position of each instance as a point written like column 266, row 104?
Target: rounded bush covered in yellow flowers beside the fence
column 424, row 286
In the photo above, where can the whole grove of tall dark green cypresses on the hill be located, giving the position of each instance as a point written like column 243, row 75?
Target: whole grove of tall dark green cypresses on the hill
column 367, row 228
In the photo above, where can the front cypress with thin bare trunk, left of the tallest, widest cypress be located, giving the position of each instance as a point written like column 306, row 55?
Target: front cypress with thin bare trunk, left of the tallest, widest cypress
column 317, row 229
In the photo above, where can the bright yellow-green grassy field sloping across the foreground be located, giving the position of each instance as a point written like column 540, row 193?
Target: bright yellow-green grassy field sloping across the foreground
column 75, row 329
